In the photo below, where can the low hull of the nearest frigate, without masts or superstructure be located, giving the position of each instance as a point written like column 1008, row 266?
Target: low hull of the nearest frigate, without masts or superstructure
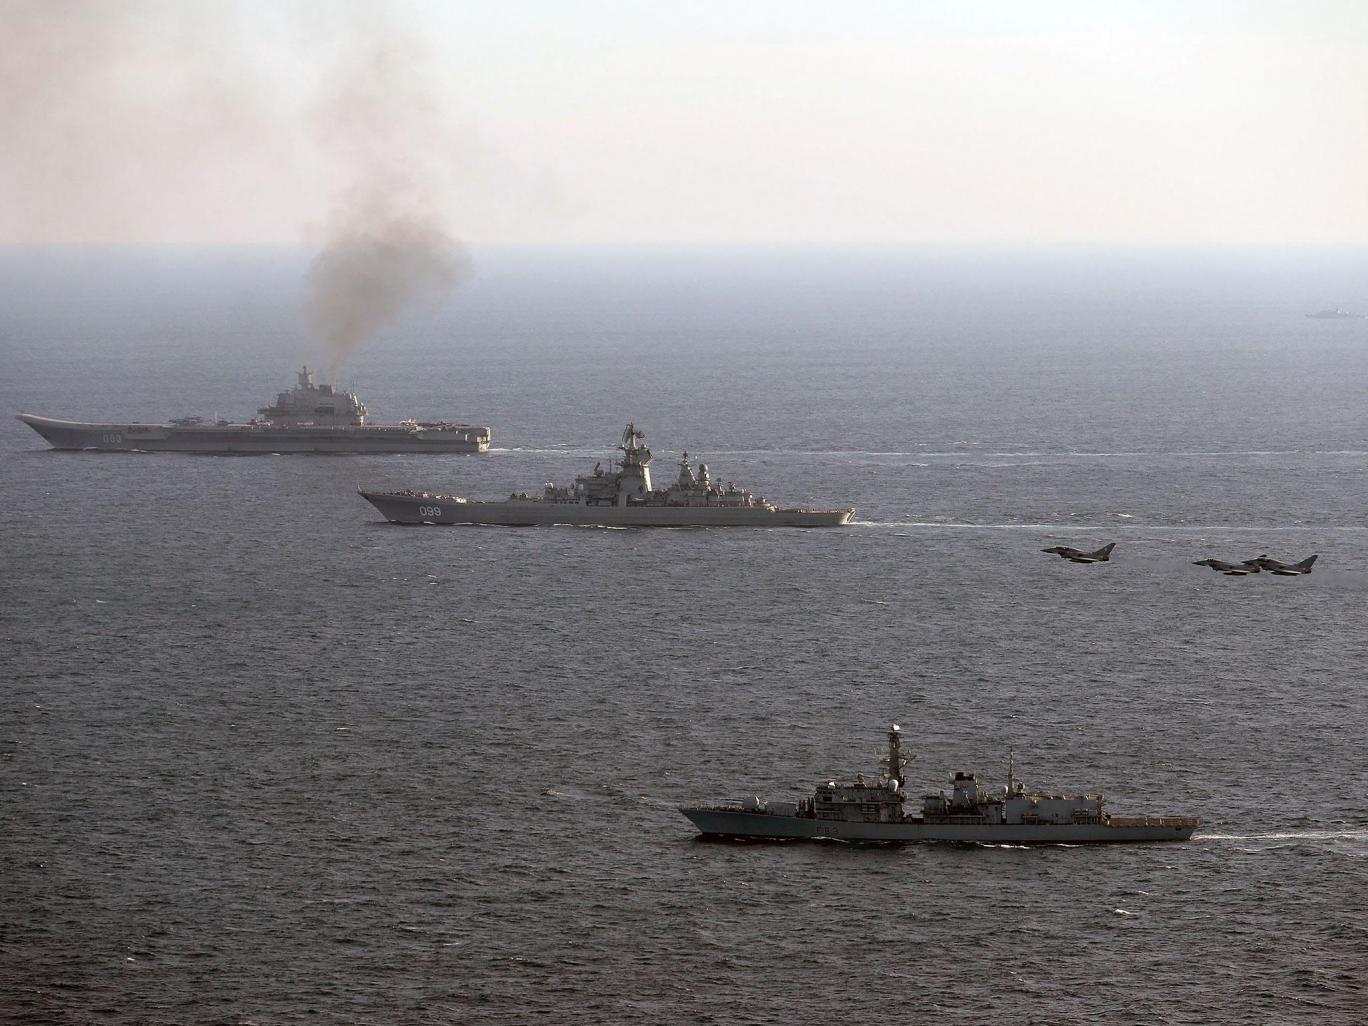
column 745, row 826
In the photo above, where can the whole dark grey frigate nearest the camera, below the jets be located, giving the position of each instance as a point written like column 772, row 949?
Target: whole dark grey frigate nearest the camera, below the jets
column 971, row 815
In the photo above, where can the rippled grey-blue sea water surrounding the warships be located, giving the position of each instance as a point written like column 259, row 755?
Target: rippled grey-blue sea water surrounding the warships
column 267, row 760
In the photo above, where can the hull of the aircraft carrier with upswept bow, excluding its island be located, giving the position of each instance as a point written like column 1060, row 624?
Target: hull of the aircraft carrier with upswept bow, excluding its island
column 247, row 440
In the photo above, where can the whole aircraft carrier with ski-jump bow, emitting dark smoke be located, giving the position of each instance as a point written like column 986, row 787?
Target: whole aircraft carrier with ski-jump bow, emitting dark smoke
column 307, row 419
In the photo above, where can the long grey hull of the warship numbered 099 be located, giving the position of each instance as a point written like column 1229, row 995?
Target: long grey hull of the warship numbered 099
column 432, row 510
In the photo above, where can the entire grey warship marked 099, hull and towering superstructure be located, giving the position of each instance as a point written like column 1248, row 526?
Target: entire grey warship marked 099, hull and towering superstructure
column 618, row 497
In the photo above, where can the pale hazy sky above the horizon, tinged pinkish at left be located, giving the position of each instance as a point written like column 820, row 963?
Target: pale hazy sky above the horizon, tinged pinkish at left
column 886, row 124
